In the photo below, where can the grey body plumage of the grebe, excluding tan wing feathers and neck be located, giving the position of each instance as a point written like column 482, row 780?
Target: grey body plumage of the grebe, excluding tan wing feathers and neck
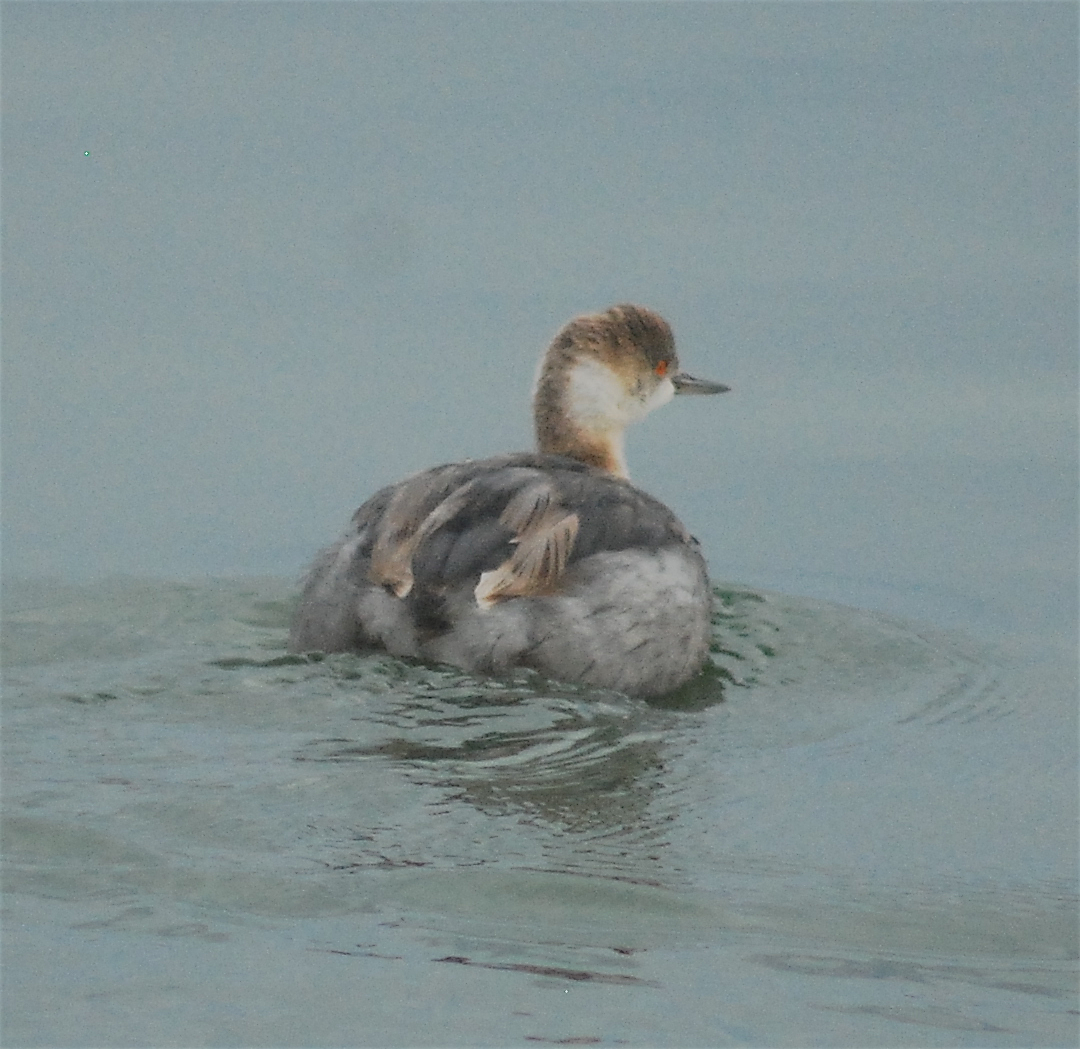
column 630, row 610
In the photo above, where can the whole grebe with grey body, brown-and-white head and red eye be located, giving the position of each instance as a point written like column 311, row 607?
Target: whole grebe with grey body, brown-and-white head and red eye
column 550, row 560
